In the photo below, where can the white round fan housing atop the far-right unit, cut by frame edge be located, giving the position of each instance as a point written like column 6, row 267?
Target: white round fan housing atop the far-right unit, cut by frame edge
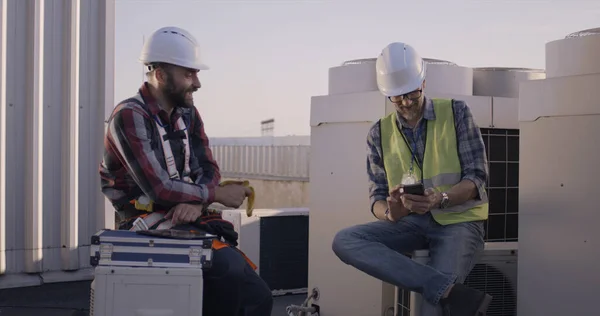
column 576, row 54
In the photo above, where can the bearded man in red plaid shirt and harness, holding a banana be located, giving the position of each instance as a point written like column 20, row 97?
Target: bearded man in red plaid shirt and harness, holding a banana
column 158, row 170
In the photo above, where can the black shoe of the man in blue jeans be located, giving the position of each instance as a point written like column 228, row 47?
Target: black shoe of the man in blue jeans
column 465, row 301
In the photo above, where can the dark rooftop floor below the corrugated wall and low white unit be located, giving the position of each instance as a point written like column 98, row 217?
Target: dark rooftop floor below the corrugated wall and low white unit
column 73, row 299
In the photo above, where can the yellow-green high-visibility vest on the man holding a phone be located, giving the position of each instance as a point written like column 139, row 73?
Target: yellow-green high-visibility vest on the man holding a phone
column 441, row 165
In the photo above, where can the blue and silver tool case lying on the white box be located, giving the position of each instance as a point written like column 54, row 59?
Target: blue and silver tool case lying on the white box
column 128, row 248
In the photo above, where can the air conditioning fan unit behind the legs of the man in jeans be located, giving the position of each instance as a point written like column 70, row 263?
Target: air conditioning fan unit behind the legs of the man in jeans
column 495, row 273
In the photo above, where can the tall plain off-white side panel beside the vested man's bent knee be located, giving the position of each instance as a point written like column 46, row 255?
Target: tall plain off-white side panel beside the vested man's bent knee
column 339, row 198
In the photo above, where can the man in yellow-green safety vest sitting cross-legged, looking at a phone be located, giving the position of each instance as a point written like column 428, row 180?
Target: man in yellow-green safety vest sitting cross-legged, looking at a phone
column 436, row 143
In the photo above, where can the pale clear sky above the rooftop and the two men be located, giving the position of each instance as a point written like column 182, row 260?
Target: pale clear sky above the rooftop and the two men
column 268, row 58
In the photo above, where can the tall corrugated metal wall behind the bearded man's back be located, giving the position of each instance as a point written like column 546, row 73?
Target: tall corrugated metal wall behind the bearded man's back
column 56, row 86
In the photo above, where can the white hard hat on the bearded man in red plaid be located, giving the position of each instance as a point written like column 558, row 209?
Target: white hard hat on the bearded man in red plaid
column 172, row 45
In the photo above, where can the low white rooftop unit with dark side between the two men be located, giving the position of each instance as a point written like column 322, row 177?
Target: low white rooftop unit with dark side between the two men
column 276, row 240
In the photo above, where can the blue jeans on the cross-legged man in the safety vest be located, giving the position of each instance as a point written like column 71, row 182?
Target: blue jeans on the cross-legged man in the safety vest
column 378, row 249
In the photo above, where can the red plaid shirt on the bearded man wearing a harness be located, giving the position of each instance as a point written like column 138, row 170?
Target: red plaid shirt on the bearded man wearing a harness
column 134, row 164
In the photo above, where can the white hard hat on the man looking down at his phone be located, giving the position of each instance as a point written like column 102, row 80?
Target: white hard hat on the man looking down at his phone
column 400, row 70
